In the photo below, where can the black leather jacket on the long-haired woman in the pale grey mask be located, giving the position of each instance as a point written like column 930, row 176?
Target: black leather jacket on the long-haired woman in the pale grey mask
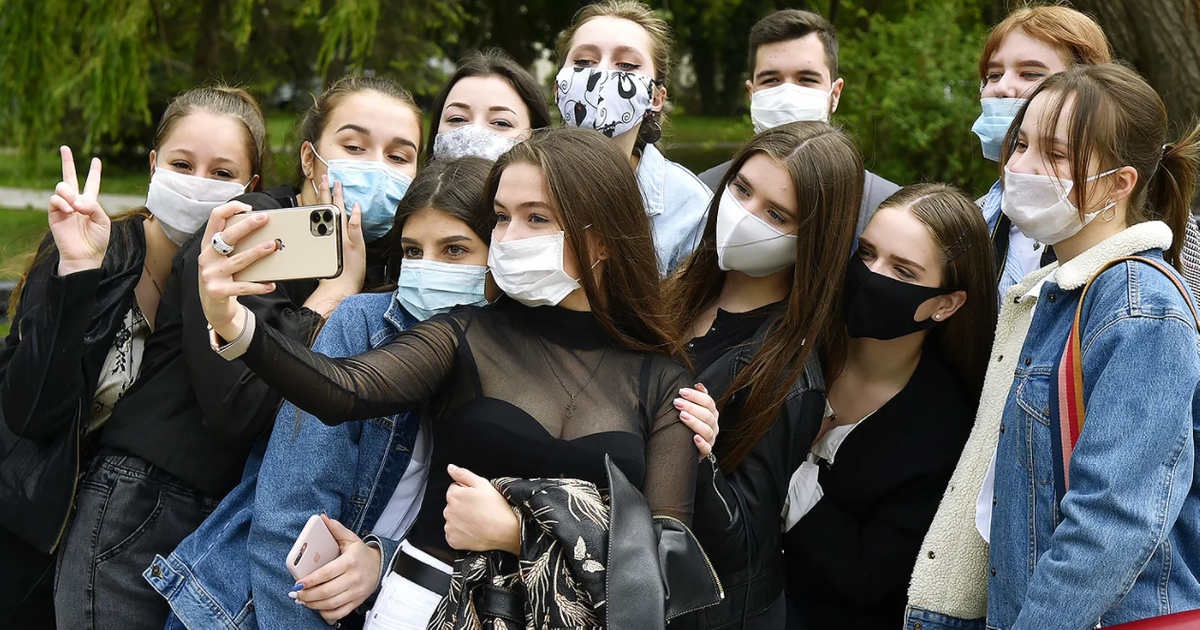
column 737, row 517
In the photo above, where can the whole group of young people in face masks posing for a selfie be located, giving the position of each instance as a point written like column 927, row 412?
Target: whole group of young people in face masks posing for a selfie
column 562, row 382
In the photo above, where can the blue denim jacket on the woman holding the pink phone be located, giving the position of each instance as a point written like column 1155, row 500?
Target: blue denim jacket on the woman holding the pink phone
column 349, row 471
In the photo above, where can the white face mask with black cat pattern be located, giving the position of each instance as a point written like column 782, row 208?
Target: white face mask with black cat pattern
column 609, row 101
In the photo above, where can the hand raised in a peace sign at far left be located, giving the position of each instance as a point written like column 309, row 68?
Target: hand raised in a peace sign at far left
column 80, row 226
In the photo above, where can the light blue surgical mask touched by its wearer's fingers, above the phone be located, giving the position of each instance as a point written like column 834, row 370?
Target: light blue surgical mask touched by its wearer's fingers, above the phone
column 376, row 187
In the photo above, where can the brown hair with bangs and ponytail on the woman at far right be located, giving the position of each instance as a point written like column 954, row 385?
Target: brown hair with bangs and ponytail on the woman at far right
column 1120, row 121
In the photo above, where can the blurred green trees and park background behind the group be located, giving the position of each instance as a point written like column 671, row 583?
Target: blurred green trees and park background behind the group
column 97, row 75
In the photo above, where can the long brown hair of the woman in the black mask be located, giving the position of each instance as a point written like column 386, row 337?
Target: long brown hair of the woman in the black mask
column 964, row 245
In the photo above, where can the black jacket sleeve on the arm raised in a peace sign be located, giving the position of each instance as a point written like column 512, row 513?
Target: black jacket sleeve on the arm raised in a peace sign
column 50, row 369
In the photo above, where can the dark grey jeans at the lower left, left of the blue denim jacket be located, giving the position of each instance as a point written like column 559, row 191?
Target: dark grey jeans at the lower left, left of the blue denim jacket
column 127, row 512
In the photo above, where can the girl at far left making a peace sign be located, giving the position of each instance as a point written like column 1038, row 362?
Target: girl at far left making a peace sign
column 82, row 319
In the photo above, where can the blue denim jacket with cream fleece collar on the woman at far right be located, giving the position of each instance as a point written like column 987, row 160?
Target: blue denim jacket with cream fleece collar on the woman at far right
column 1126, row 543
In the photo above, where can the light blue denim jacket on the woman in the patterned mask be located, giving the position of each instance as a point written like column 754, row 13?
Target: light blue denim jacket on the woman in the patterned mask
column 677, row 203
